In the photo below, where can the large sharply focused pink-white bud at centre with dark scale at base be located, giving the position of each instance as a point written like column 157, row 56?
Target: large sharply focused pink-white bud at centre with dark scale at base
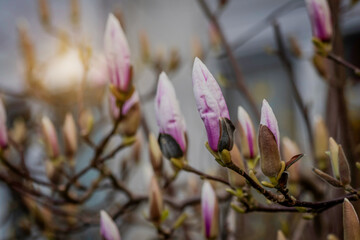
column 212, row 108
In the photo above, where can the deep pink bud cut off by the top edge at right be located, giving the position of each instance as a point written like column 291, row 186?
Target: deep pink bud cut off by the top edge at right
column 320, row 18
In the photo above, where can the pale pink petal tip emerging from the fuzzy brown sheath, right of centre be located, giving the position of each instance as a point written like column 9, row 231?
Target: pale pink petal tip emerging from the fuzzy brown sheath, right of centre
column 268, row 119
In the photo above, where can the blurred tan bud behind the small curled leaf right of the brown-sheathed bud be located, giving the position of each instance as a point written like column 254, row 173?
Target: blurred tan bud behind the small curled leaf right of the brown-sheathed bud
column 289, row 150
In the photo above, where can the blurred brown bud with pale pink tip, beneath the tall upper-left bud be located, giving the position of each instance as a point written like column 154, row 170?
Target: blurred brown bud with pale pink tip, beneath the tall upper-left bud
column 131, row 116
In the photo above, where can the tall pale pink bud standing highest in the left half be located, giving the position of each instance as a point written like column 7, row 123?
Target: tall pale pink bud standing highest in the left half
column 117, row 55
